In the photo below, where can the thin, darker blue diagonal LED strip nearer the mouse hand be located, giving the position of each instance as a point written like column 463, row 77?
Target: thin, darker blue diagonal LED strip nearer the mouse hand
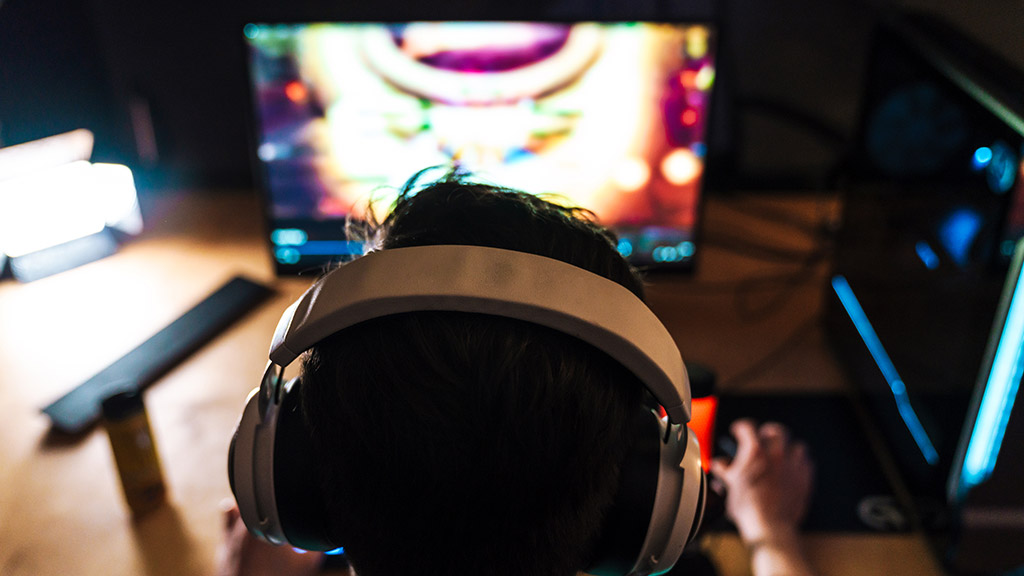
column 885, row 364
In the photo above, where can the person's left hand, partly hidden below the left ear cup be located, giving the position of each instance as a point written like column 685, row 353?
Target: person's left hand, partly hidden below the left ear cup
column 241, row 554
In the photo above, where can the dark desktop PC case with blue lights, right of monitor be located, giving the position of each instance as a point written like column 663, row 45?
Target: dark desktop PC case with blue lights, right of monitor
column 932, row 214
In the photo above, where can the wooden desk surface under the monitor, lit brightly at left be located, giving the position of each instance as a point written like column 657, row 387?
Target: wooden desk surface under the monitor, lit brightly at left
column 61, row 507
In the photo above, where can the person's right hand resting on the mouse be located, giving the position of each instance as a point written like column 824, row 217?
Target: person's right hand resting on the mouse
column 770, row 483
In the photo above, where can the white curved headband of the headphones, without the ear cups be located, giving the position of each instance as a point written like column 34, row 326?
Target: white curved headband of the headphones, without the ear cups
column 493, row 281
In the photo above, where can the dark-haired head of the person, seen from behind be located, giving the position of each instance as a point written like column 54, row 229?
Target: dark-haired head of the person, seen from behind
column 455, row 443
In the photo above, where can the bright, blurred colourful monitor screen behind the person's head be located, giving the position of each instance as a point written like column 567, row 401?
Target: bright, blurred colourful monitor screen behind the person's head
column 611, row 117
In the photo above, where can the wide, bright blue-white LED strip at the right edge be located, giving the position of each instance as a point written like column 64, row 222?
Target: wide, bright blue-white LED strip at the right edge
column 1001, row 391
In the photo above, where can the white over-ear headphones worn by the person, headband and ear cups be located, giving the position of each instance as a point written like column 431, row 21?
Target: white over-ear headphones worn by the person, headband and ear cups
column 661, row 502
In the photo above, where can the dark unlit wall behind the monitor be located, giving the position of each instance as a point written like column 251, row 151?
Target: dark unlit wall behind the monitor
column 792, row 70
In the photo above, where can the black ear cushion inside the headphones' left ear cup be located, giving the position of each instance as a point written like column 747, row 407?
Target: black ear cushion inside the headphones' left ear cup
column 302, row 506
